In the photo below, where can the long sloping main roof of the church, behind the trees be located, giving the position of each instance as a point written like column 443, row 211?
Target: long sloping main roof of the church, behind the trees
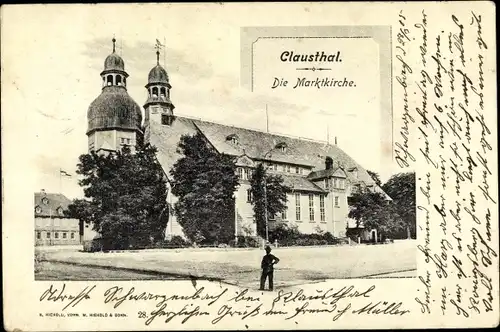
column 255, row 144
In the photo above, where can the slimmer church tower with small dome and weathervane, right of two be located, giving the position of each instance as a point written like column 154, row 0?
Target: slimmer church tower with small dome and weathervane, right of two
column 158, row 107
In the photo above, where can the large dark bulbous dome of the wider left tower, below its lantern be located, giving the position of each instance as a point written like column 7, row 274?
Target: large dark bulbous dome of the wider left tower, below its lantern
column 114, row 109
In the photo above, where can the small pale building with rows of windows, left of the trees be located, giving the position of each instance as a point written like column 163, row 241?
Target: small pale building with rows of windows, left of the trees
column 52, row 227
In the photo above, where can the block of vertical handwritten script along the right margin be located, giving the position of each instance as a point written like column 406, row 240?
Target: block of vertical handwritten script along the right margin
column 446, row 131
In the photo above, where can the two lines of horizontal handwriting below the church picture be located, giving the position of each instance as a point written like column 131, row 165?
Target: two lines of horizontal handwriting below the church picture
column 222, row 305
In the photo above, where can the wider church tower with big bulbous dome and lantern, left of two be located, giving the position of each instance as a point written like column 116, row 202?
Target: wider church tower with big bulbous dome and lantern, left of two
column 114, row 118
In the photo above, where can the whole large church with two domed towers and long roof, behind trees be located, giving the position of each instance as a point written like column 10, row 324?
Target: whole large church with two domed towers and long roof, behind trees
column 321, row 176
